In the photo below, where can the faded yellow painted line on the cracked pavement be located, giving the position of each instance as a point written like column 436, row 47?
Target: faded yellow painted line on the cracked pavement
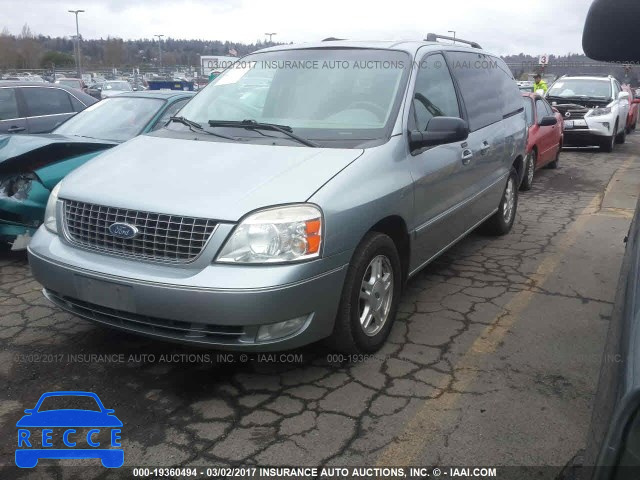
column 405, row 449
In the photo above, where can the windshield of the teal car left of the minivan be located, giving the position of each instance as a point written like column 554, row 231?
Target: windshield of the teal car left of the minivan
column 117, row 118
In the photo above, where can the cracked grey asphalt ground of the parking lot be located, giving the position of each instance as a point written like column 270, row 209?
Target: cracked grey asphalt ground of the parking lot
column 493, row 359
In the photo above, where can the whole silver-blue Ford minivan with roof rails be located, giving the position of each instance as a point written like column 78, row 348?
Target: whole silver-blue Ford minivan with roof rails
column 291, row 199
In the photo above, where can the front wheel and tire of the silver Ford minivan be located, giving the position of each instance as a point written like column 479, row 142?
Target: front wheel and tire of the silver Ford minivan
column 370, row 297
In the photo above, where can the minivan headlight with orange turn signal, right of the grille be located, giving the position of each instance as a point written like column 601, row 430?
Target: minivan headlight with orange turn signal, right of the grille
column 284, row 234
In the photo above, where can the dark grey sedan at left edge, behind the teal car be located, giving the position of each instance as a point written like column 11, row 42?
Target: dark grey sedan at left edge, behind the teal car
column 29, row 107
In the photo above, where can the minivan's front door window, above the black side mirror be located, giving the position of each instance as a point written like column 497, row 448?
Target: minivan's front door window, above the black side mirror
column 434, row 94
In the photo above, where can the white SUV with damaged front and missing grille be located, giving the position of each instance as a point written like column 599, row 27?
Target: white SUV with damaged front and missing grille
column 595, row 110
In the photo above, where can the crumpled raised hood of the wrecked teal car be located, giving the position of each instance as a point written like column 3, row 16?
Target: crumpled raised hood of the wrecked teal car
column 26, row 153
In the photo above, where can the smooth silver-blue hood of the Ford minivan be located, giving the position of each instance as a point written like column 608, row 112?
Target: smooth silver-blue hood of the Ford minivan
column 208, row 179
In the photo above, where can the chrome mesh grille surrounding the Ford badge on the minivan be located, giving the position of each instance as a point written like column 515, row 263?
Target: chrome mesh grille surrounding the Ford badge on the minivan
column 168, row 238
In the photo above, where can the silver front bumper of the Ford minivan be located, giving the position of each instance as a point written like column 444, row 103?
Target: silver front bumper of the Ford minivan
column 208, row 306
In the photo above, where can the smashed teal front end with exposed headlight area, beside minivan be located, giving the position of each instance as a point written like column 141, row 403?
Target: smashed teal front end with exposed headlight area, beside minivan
column 23, row 198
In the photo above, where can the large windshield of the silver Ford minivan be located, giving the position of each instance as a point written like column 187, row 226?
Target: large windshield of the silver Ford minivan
column 324, row 94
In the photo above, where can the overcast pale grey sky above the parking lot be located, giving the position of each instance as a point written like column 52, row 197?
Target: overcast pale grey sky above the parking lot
column 500, row 26
